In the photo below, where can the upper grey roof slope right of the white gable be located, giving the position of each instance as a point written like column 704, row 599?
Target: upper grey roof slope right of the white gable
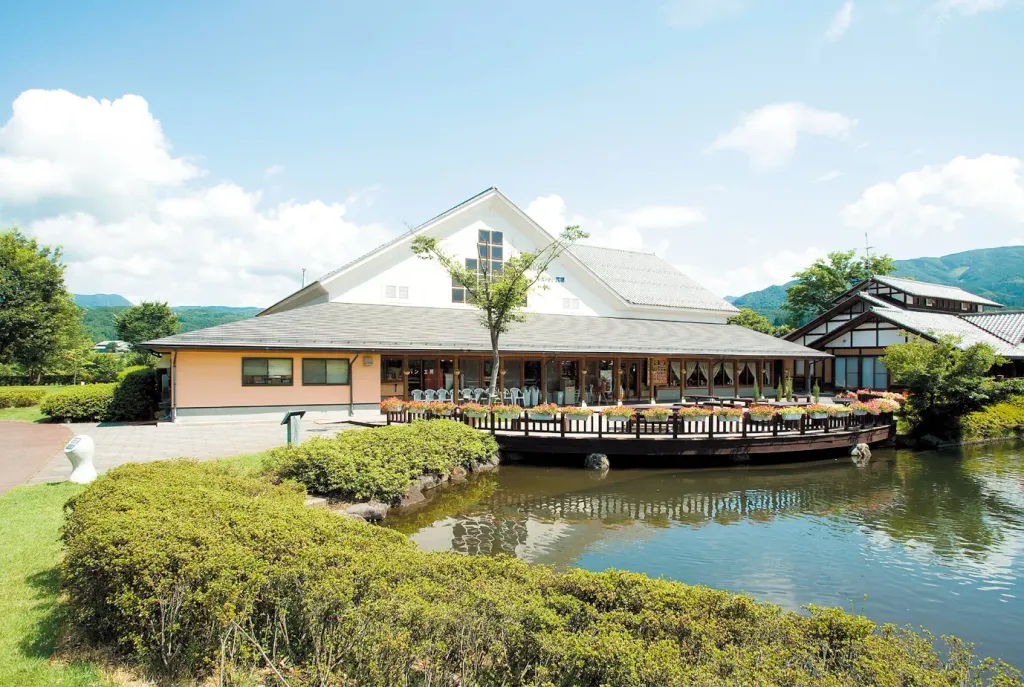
column 645, row 279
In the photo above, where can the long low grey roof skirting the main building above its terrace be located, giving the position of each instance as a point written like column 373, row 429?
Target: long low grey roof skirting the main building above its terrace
column 364, row 327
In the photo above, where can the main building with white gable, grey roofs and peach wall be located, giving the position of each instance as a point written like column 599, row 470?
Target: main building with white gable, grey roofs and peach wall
column 612, row 326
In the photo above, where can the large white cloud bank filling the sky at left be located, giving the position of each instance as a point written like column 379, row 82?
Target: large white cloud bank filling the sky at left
column 132, row 225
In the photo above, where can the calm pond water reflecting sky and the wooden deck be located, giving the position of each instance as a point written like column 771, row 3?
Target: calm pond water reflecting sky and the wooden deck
column 933, row 540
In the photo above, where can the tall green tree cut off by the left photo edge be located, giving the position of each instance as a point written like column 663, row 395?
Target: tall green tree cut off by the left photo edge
column 38, row 317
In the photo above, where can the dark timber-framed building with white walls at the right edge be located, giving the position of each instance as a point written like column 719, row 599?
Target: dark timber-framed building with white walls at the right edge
column 885, row 311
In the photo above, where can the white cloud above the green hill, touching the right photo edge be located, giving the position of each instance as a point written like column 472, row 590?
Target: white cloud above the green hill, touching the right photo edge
column 941, row 197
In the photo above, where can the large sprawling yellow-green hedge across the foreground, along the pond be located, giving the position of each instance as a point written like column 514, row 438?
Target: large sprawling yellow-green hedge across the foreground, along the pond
column 195, row 572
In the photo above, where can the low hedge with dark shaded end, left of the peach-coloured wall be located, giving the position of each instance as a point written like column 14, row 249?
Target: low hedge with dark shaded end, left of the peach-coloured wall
column 135, row 398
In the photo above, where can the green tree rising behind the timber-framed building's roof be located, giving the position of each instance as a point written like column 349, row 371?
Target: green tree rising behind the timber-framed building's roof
column 819, row 286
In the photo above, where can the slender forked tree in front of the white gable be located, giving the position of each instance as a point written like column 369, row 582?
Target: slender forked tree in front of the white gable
column 500, row 297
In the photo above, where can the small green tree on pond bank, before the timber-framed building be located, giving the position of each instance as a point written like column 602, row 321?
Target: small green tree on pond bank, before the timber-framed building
column 945, row 381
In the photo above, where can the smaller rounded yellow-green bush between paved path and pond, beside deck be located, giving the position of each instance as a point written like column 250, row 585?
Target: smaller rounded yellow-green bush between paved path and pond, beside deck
column 381, row 463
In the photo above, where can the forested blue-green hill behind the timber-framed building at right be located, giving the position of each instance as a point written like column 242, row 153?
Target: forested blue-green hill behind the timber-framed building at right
column 993, row 273
